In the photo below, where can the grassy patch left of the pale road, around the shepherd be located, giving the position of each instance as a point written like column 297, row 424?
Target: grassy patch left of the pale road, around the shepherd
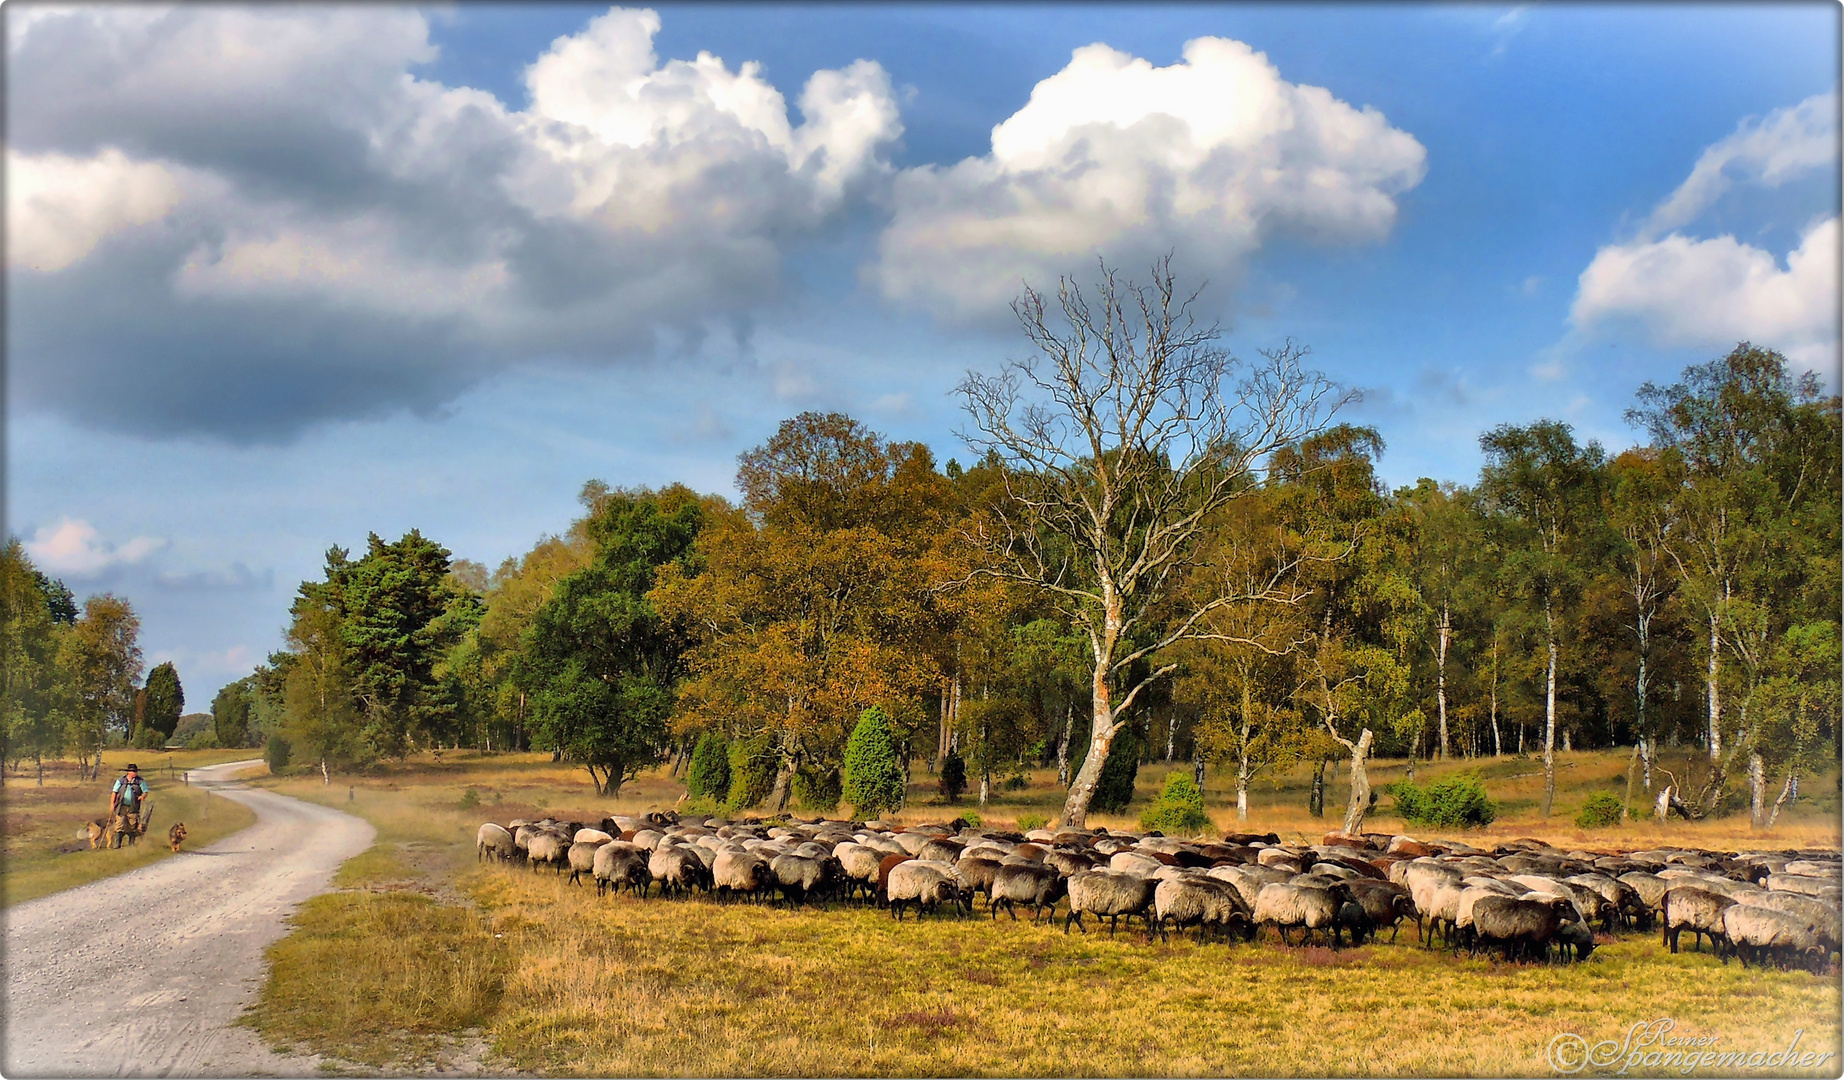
column 43, row 825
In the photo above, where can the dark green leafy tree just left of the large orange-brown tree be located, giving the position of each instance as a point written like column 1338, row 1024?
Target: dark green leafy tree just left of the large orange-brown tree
column 602, row 664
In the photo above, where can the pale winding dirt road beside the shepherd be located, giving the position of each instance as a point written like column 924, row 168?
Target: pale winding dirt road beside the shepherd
column 143, row 974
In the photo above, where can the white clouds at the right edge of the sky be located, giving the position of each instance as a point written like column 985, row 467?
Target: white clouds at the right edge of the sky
column 1679, row 290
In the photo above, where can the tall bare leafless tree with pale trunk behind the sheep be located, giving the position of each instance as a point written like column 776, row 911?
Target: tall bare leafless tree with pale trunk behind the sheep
column 1120, row 440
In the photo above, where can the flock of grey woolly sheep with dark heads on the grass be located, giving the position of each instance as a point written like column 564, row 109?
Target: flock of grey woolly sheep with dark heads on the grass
column 1522, row 900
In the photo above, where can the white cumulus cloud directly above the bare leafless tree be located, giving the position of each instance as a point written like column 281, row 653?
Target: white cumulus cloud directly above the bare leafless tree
column 1124, row 159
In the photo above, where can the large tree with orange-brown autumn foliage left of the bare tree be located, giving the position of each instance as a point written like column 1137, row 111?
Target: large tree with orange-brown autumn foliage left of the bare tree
column 816, row 598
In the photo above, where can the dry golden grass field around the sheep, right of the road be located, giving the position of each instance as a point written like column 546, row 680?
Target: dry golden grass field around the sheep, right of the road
column 423, row 946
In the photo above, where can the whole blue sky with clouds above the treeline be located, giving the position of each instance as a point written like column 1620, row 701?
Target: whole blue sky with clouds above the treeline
column 281, row 277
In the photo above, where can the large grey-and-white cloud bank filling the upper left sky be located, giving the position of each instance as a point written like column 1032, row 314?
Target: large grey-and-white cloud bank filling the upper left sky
column 244, row 220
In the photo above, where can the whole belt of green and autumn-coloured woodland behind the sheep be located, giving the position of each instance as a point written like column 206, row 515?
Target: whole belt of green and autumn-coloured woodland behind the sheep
column 1157, row 552
